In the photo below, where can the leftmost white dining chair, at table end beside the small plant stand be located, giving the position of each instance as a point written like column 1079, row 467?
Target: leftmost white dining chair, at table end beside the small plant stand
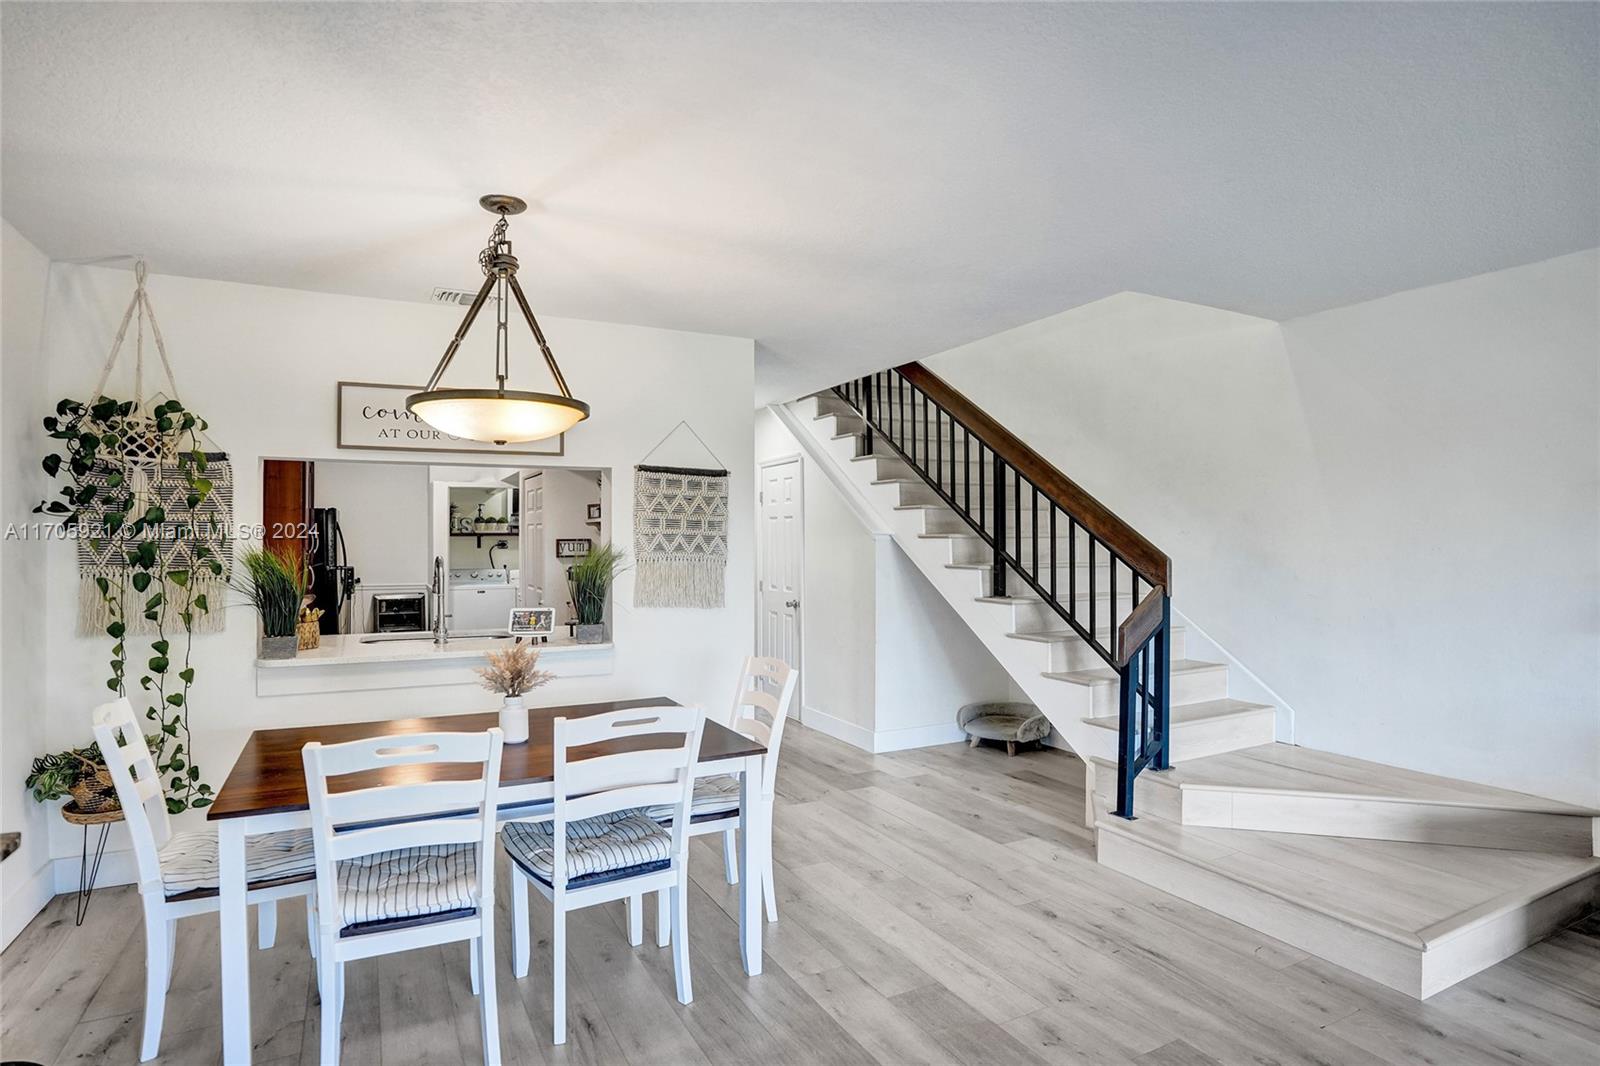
column 178, row 872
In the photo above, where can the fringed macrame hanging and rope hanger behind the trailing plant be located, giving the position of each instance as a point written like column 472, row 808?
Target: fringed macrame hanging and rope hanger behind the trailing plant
column 156, row 465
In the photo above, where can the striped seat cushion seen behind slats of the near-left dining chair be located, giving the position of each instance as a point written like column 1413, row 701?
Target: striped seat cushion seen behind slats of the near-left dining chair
column 409, row 884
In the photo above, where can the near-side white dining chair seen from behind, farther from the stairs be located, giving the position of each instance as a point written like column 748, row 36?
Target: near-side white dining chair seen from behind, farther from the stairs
column 404, row 867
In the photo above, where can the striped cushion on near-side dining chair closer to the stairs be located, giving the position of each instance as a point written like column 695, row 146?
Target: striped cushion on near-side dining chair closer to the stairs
column 606, row 848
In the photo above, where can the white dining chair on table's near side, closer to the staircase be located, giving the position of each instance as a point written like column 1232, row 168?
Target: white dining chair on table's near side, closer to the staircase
column 601, row 846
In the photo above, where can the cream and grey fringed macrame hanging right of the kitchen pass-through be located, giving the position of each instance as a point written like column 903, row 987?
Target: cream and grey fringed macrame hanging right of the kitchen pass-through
column 681, row 532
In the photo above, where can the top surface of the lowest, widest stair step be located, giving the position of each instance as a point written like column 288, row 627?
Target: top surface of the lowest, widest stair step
column 1412, row 894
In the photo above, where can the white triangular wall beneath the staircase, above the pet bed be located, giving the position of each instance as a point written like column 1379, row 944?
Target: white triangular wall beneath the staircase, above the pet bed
column 887, row 660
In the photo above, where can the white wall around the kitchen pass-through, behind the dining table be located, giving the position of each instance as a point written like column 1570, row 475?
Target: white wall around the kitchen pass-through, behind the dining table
column 262, row 366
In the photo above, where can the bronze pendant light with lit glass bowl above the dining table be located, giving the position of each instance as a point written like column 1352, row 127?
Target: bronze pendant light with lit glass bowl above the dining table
column 498, row 415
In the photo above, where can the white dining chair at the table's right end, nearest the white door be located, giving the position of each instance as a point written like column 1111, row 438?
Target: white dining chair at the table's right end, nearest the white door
column 761, row 707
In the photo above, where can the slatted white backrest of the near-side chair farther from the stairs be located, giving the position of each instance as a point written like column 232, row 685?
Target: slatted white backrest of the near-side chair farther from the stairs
column 420, row 812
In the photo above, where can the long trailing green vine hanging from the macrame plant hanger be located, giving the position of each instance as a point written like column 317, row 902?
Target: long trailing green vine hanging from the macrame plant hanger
column 98, row 441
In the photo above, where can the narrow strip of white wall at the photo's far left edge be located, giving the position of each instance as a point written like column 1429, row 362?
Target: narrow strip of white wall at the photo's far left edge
column 25, row 663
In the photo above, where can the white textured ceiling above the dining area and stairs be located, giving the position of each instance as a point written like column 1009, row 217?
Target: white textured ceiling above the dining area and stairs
column 852, row 186
